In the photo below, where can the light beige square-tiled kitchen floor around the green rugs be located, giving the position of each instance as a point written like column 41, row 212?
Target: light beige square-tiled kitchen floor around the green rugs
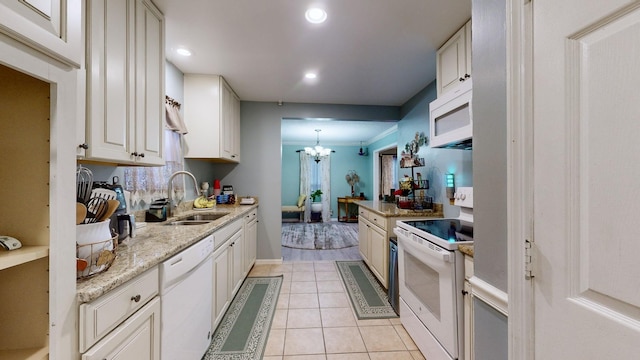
column 314, row 319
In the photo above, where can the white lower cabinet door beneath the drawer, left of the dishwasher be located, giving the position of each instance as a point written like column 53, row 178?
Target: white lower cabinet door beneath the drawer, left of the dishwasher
column 138, row 338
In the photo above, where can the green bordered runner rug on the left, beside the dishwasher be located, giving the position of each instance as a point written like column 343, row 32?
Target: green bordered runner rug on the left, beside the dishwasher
column 244, row 328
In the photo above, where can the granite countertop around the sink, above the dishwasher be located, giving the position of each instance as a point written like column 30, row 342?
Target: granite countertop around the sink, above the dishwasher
column 153, row 244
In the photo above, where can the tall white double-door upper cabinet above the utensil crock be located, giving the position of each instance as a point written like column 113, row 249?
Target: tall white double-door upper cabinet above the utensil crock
column 125, row 82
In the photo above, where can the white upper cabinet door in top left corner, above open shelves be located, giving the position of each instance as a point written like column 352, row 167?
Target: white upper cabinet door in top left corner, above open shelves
column 53, row 27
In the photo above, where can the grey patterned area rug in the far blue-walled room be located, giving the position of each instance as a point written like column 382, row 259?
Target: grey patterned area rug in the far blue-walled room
column 320, row 236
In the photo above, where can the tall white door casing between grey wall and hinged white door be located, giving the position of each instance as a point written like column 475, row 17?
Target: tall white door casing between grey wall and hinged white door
column 520, row 172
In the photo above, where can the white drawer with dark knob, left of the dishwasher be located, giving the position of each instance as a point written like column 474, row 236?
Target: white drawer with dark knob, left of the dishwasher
column 99, row 317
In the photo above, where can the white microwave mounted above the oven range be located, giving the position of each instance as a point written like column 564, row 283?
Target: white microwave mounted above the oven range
column 451, row 119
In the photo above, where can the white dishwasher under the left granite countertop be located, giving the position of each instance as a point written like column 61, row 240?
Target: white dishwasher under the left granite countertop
column 186, row 291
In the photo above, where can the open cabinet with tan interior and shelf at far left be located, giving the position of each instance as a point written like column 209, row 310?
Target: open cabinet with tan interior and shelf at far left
column 25, row 212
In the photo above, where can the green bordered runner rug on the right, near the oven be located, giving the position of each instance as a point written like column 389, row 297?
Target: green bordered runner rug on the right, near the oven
column 368, row 297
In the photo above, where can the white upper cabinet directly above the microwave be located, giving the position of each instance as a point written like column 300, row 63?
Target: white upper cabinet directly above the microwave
column 453, row 60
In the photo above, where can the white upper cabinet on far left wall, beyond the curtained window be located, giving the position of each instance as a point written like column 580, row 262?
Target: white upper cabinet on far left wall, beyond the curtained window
column 212, row 116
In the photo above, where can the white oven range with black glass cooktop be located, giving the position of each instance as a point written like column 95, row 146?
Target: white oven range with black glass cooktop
column 431, row 279
